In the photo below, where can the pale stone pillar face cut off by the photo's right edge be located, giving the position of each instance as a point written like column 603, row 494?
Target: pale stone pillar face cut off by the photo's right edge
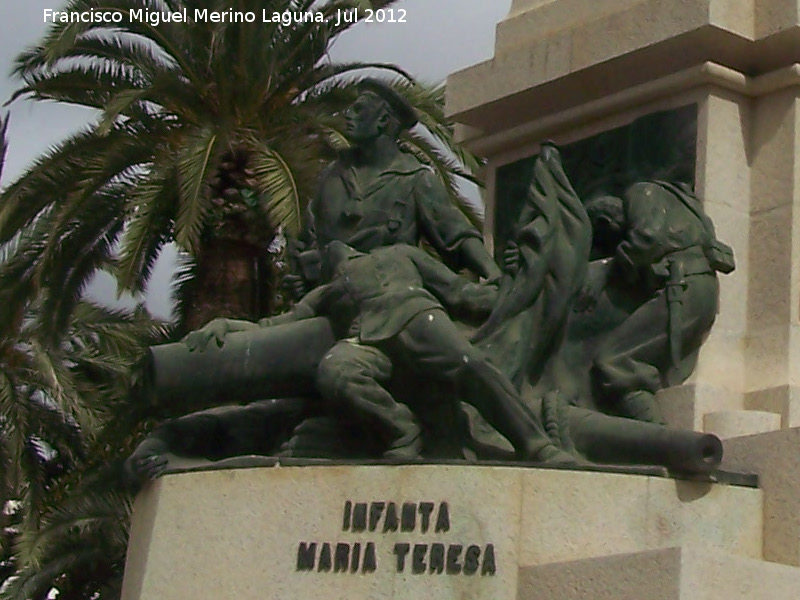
column 772, row 344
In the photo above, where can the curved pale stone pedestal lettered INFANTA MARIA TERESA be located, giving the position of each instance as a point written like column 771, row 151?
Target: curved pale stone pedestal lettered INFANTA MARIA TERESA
column 446, row 532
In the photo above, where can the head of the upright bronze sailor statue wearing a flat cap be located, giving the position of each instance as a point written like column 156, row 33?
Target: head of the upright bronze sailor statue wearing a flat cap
column 378, row 111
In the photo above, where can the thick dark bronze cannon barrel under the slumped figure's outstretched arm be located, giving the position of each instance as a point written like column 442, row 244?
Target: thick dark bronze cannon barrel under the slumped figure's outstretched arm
column 271, row 362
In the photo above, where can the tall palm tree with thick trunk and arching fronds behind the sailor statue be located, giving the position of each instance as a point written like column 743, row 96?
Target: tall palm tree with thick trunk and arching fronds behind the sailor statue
column 209, row 134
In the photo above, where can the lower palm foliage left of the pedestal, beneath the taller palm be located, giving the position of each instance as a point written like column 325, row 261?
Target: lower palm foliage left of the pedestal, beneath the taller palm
column 67, row 421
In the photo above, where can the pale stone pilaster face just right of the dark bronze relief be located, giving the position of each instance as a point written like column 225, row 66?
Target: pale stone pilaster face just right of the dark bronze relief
column 723, row 182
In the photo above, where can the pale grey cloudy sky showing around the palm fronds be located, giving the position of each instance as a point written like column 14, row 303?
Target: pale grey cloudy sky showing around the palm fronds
column 437, row 38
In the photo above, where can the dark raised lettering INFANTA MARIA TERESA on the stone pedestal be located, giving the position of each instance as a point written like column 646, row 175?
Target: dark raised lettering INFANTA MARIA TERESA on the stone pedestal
column 419, row 557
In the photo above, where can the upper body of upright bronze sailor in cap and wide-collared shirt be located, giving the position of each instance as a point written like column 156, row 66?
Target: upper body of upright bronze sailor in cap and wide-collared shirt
column 375, row 195
